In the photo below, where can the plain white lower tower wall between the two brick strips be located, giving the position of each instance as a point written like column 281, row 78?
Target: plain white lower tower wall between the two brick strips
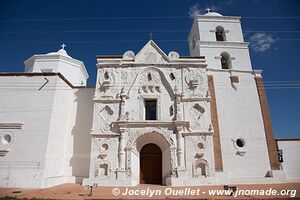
column 240, row 116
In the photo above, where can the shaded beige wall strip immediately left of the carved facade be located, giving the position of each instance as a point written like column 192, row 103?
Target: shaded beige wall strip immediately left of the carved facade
column 80, row 161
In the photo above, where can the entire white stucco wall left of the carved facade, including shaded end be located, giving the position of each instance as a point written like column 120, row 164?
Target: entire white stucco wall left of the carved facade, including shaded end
column 53, row 144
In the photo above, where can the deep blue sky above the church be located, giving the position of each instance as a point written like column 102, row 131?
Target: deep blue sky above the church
column 91, row 28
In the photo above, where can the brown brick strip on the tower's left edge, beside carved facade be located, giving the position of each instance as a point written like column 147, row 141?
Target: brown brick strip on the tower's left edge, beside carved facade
column 215, row 123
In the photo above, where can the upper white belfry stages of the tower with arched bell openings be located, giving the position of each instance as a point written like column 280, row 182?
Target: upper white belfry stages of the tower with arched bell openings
column 220, row 39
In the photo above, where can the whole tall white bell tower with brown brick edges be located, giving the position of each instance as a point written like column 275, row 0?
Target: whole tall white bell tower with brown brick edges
column 240, row 116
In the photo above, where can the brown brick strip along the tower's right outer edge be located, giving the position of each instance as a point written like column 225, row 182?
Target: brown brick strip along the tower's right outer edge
column 275, row 165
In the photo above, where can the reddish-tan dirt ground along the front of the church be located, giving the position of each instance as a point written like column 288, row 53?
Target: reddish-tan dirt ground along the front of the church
column 76, row 191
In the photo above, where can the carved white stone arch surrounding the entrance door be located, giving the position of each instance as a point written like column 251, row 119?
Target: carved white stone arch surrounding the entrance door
column 156, row 136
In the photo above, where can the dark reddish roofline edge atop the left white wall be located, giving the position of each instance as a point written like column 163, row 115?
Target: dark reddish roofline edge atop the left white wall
column 44, row 74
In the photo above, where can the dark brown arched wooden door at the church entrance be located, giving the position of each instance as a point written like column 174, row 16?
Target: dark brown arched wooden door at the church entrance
column 151, row 164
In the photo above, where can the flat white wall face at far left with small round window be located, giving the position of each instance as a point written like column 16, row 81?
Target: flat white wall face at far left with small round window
column 22, row 102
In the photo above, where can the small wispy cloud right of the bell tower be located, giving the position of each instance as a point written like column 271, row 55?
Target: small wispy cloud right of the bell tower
column 262, row 42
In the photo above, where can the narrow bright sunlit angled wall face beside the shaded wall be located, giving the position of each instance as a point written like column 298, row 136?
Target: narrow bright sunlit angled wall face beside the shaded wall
column 59, row 127
